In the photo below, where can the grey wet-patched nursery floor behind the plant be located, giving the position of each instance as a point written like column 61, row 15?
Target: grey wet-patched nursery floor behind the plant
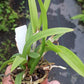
column 59, row 14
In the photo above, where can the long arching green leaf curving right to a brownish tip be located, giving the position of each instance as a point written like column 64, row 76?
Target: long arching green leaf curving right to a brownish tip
column 41, row 35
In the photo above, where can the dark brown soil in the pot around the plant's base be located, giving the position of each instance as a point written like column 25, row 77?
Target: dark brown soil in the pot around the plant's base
column 39, row 73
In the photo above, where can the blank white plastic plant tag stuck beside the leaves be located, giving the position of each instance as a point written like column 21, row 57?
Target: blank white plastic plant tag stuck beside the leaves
column 20, row 35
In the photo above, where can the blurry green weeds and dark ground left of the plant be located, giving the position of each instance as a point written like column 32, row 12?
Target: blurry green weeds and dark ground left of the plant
column 9, row 19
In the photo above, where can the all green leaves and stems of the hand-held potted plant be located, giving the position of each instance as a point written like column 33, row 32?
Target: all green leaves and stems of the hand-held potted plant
column 34, row 34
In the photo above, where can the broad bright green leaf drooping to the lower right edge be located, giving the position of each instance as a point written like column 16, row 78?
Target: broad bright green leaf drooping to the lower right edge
column 68, row 56
